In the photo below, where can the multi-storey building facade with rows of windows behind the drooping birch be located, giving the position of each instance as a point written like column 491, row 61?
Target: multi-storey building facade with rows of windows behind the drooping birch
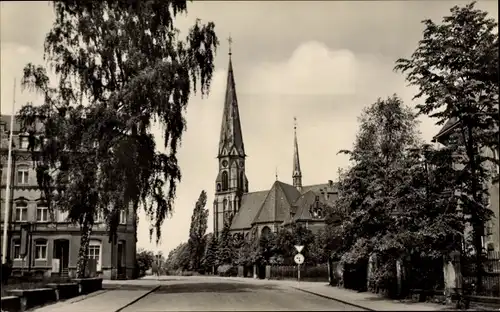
column 53, row 244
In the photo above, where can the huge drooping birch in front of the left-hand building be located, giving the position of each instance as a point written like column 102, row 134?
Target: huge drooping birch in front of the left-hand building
column 126, row 61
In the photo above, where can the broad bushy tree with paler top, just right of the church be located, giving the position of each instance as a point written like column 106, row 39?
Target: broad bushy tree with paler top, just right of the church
column 385, row 203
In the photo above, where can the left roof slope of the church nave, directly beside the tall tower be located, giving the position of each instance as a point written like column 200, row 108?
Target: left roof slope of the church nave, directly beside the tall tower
column 250, row 205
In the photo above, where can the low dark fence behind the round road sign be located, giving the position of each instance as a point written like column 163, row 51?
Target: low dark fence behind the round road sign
column 317, row 273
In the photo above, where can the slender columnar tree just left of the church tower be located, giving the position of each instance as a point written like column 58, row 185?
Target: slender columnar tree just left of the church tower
column 197, row 231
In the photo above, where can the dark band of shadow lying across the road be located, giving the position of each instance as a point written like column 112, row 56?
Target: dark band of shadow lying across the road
column 211, row 287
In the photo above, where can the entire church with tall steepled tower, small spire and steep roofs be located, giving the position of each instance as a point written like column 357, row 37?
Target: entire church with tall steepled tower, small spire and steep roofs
column 262, row 211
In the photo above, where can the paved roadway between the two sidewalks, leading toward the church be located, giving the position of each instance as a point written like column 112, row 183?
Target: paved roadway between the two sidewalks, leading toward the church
column 213, row 293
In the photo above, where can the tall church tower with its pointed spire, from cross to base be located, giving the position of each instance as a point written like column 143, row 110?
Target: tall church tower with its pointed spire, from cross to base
column 231, row 182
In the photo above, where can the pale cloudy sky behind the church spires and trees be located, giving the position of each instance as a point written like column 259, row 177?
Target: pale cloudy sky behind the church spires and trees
column 322, row 62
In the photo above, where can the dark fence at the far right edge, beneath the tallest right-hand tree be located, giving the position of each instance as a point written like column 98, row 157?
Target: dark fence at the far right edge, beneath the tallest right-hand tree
column 490, row 278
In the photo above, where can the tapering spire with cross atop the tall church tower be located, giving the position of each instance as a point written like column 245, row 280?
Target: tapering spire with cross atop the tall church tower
column 231, row 139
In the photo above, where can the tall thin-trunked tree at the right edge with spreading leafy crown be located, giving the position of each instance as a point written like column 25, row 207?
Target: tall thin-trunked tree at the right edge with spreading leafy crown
column 455, row 67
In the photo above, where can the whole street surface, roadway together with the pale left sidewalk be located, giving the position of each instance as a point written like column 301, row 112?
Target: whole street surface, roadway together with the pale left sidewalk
column 204, row 293
